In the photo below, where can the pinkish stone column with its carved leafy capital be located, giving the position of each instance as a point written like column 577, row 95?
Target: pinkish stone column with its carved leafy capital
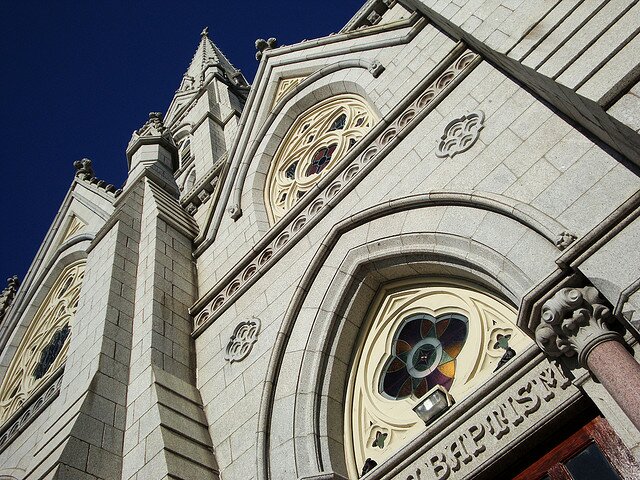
column 576, row 322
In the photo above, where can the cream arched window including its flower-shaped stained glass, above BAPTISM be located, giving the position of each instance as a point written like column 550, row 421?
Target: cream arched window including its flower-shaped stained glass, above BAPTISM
column 420, row 335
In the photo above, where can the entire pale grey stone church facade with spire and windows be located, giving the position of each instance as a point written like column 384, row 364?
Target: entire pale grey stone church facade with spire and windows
column 408, row 250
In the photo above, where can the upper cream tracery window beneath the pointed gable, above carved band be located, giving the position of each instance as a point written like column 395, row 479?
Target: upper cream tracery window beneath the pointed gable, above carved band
column 316, row 141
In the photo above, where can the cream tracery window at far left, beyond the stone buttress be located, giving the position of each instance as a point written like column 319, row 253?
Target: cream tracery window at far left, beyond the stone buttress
column 44, row 346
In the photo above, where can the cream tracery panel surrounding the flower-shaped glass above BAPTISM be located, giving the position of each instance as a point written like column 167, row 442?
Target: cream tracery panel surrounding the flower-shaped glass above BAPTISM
column 376, row 425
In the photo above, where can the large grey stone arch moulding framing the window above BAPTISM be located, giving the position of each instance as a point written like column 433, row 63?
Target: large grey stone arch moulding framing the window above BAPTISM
column 342, row 282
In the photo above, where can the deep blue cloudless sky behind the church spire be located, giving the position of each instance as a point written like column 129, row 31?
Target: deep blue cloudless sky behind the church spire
column 78, row 77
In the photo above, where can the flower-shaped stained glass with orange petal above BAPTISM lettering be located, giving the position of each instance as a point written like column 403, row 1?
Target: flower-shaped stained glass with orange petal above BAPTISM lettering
column 424, row 355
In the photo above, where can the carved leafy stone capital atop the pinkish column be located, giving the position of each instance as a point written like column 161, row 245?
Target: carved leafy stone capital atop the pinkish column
column 574, row 321
